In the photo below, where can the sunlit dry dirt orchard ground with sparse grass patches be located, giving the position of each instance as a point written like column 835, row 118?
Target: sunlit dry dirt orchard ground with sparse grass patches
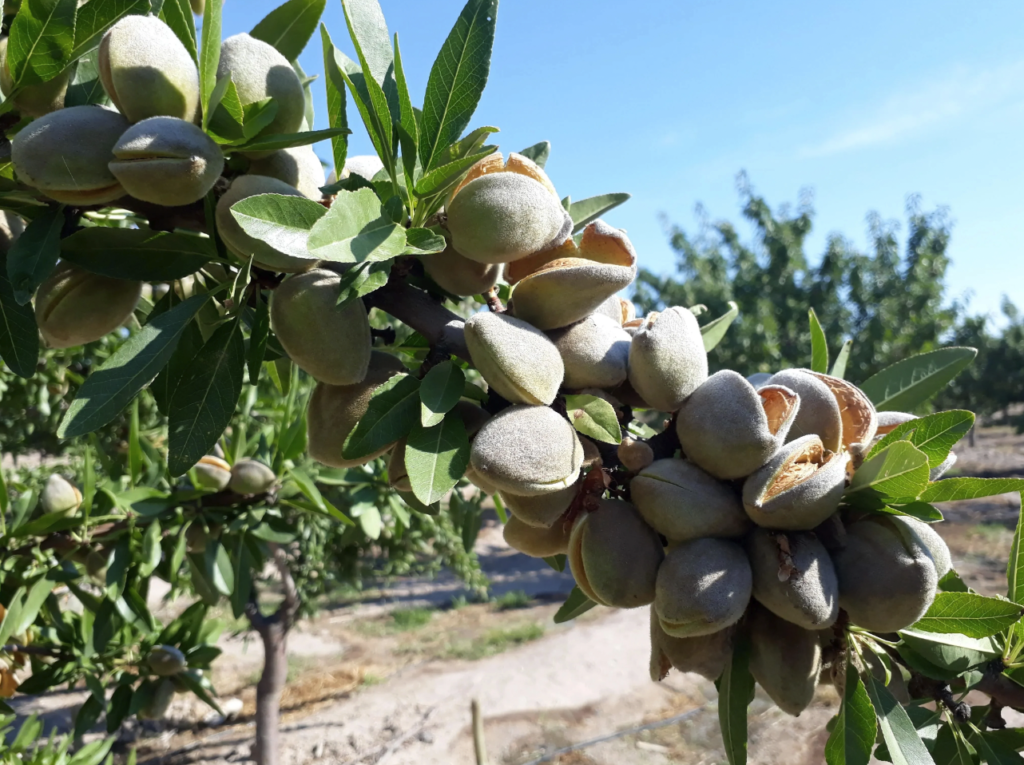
column 391, row 681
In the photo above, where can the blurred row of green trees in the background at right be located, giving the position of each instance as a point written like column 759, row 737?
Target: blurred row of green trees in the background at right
column 893, row 301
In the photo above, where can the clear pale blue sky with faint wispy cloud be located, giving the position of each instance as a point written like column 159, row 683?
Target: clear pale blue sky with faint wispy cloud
column 863, row 103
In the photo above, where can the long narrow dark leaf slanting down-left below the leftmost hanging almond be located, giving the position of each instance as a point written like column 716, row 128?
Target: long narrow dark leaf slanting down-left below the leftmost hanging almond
column 109, row 390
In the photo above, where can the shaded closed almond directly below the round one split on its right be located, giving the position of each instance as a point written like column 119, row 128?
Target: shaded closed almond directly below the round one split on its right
column 682, row 502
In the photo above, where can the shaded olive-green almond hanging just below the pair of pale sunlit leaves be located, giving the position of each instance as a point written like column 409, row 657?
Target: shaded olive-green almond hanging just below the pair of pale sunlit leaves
column 330, row 344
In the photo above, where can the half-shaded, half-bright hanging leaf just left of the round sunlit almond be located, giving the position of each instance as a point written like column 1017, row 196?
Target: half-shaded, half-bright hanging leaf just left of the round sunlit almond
column 437, row 458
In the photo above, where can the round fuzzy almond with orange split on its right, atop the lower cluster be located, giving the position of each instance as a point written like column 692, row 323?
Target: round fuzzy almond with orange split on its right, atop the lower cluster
column 731, row 430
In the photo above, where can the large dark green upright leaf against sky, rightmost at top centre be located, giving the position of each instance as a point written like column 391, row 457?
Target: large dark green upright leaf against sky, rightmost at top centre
column 457, row 79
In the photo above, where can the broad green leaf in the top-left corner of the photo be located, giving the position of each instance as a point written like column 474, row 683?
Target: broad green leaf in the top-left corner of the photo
column 42, row 37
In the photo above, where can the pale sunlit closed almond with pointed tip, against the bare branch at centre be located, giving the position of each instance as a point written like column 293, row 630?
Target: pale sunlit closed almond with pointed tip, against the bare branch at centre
column 518, row 361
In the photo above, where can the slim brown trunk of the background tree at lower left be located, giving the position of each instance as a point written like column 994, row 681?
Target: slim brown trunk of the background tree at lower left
column 274, row 631
